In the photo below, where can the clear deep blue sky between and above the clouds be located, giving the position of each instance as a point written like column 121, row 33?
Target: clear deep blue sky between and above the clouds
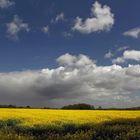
column 35, row 49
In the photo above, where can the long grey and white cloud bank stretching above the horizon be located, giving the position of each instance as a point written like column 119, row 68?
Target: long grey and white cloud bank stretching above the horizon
column 76, row 79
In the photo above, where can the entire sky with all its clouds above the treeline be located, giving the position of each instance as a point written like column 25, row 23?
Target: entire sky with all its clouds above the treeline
column 54, row 53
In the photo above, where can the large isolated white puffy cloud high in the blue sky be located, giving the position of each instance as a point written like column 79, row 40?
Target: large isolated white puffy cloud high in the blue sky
column 101, row 19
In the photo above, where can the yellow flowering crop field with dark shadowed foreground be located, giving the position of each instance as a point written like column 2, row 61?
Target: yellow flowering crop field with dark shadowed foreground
column 43, row 124
